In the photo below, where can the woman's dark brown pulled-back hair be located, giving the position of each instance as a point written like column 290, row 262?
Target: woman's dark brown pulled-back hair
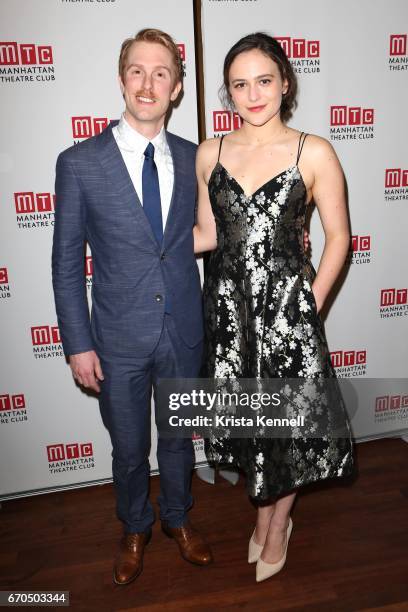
column 271, row 48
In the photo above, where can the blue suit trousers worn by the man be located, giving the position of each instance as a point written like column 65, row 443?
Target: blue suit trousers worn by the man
column 125, row 409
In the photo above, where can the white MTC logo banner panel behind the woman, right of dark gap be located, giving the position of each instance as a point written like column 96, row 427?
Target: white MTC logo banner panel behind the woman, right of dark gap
column 351, row 60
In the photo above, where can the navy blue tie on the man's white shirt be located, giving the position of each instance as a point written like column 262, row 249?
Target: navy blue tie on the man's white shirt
column 151, row 193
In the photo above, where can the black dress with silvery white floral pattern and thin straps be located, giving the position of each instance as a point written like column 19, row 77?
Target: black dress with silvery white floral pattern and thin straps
column 261, row 322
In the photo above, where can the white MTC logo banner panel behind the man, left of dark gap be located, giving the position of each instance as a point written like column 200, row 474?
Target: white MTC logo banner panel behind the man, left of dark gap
column 58, row 81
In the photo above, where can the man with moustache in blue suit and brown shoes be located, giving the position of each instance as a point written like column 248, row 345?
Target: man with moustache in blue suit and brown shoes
column 130, row 193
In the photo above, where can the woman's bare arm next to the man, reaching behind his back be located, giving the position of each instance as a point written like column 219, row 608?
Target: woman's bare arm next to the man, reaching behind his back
column 205, row 234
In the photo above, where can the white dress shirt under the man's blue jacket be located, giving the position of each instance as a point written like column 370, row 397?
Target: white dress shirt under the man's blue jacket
column 132, row 146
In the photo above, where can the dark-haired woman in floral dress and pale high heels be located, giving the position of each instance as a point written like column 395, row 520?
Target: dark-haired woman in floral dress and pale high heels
column 262, row 295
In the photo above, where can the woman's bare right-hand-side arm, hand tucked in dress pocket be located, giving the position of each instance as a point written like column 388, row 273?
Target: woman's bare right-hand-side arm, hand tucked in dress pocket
column 329, row 195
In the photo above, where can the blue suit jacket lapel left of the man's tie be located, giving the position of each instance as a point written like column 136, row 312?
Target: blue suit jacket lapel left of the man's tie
column 112, row 162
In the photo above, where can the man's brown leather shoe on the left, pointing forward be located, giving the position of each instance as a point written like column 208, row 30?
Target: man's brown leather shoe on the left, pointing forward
column 129, row 562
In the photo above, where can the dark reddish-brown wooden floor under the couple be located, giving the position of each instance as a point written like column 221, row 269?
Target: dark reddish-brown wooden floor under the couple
column 348, row 550
